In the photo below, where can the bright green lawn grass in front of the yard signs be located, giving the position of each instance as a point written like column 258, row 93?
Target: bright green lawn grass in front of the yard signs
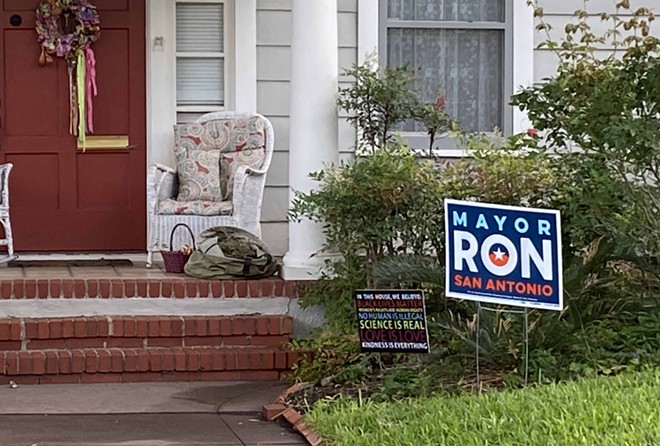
column 623, row 410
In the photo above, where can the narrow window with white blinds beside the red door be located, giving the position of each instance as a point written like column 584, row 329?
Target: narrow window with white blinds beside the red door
column 201, row 57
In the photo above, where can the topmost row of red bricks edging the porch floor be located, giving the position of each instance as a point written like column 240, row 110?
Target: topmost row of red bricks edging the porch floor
column 126, row 287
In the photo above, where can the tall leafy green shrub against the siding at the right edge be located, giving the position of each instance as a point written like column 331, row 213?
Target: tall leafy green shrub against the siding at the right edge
column 606, row 112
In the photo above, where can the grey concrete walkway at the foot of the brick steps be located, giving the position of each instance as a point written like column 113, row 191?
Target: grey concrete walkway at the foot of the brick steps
column 150, row 414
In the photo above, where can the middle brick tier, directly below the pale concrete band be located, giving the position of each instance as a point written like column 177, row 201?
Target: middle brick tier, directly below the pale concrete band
column 25, row 334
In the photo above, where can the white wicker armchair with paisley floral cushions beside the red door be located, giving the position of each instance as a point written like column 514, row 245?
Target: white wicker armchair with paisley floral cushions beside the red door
column 244, row 145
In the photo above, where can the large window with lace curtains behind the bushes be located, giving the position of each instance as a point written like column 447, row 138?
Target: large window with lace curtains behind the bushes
column 458, row 49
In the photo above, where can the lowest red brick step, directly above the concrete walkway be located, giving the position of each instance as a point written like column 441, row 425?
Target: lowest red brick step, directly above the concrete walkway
column 117, row 365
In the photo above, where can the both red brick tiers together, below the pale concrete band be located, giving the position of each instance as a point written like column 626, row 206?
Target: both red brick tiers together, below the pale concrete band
column 145, row 348
